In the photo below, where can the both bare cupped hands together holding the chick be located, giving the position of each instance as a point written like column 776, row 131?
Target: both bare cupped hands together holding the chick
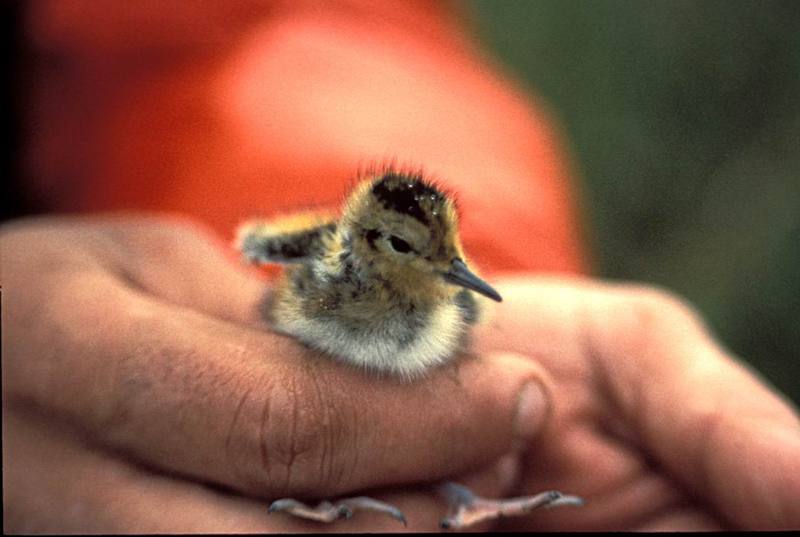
column 142, row 392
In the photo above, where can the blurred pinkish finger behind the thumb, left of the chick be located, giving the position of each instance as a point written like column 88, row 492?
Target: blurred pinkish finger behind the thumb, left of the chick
column 176, row 260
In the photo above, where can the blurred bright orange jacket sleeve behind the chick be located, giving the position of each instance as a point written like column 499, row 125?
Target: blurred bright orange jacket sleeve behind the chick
column 229, row 110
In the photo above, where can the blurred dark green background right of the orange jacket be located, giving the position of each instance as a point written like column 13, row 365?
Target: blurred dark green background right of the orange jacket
column 683, row 120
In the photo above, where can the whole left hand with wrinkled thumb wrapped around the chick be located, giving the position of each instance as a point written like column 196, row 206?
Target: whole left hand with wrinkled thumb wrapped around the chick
column 143, row 393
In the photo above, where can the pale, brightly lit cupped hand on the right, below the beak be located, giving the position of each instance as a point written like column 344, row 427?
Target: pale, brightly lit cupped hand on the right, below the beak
column 655, row 424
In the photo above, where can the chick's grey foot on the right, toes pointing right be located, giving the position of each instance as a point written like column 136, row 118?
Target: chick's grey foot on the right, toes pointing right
column 467, row 509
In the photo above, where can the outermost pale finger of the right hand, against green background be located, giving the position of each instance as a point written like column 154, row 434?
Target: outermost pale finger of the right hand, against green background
column 708, row 418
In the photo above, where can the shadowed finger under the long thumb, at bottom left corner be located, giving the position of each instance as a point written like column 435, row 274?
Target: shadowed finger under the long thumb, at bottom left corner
column 55, row 483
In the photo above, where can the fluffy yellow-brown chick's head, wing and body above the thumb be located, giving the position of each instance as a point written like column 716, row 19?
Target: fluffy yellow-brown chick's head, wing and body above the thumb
column 384, row 287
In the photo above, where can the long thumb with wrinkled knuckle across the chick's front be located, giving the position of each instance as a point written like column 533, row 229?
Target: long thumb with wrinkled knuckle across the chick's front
column 252, row 410
